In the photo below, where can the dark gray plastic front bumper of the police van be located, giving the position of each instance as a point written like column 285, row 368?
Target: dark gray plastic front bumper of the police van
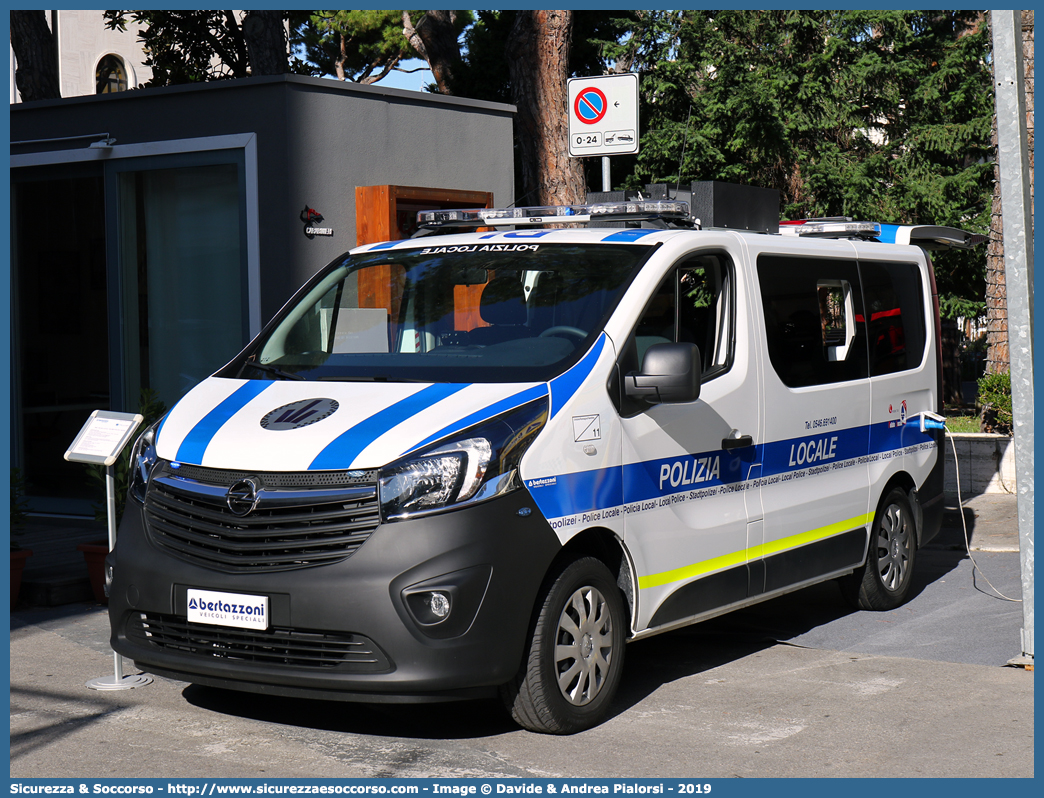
column 355, row 629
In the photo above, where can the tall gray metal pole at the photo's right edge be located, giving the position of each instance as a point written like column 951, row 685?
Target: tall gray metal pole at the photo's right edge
column 1013, row 157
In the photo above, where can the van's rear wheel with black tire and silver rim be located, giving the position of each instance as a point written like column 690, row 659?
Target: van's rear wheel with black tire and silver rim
column 884, row 582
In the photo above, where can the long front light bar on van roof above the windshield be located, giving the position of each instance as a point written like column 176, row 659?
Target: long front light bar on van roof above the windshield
column 628, row 212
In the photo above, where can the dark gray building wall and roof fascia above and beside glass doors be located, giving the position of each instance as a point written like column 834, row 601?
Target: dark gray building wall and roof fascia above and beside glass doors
column 317, row 140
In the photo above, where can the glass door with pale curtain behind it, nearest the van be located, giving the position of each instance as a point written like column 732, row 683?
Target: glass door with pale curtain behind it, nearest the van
column 183, row 269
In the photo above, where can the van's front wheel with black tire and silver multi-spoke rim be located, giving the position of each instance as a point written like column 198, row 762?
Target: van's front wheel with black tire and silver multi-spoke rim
column 573, row 668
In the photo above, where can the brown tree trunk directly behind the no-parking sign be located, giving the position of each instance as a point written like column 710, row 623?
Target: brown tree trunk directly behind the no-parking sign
column 538, row 63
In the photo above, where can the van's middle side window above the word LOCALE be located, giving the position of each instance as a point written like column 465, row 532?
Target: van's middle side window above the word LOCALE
column 814, row 320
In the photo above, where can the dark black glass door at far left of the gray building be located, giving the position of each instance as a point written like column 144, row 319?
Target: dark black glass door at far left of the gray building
column 60, row 358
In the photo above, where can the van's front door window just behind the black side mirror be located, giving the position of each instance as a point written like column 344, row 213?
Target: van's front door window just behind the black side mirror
column 694, row 304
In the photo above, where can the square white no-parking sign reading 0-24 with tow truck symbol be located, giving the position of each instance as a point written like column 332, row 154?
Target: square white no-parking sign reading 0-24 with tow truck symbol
column 604, row 115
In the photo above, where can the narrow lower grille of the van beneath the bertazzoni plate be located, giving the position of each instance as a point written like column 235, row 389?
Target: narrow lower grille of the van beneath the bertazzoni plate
column 294, row 648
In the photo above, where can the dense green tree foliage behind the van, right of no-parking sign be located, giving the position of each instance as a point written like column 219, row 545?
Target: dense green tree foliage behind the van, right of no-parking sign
column 875, row 115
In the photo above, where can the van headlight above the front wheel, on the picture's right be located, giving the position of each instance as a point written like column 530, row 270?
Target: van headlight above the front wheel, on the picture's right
column 474, row 465
